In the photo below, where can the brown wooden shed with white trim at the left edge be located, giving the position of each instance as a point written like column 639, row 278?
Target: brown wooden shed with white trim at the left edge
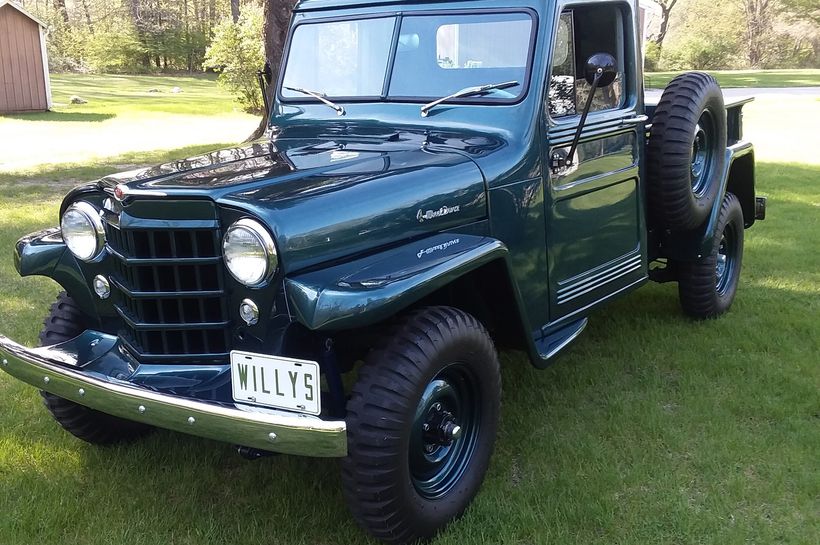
column 24, row 80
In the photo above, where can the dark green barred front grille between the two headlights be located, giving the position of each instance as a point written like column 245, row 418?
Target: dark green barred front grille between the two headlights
column 169, row 291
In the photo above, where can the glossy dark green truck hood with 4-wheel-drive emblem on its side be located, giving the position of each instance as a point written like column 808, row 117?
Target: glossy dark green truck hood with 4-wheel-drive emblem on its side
column 328, row 198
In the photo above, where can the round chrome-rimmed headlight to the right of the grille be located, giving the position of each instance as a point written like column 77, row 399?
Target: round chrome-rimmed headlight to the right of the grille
column 250, row 254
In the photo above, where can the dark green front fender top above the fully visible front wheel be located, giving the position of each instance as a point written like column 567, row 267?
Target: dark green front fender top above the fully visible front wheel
column 369, row 290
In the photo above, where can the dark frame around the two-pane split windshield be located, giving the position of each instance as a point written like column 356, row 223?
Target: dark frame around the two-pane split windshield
column 398, row 17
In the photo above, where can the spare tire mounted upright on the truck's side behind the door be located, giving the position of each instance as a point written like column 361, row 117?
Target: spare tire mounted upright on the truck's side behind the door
column 686, row 152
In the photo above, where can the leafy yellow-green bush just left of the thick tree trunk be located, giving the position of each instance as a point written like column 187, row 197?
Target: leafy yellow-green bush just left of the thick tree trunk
column 237, row 53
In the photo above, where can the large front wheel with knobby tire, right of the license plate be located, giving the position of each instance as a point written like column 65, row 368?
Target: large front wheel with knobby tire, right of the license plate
column 422, row 420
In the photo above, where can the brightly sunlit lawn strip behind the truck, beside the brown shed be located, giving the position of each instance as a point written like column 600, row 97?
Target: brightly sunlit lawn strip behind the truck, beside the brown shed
column 121, row 117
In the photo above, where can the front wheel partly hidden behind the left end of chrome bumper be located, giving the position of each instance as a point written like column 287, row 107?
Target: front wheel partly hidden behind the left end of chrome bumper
column 64, row 322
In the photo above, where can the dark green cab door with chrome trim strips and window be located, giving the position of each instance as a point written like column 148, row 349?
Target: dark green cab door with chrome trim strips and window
column 595, row 221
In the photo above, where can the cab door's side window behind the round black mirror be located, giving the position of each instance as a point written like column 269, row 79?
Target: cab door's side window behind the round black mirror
column 582, row 32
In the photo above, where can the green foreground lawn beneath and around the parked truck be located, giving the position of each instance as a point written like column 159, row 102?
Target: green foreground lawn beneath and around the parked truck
column 650, row 429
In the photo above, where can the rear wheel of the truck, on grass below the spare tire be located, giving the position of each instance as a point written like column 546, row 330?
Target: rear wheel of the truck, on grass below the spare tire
column 707, row 286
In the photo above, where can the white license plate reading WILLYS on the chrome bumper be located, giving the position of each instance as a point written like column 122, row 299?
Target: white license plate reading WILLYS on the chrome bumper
column 273, row 381
